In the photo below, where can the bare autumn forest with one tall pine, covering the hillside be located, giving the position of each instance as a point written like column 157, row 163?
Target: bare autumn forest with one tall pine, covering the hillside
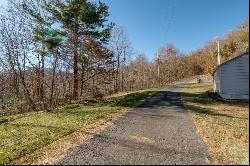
column 54, row 53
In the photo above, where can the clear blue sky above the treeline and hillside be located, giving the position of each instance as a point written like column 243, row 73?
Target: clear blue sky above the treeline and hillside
column 188, row 24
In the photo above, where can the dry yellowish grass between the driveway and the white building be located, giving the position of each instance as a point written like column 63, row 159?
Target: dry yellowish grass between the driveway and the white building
column 222, row 125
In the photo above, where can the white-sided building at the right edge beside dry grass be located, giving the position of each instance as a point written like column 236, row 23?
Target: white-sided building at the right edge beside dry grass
column 231, row 79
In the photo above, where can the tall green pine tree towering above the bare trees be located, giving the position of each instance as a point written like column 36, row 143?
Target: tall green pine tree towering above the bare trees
column 73, row 21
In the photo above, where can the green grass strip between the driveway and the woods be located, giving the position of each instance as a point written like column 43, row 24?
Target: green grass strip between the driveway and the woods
column 21, row 135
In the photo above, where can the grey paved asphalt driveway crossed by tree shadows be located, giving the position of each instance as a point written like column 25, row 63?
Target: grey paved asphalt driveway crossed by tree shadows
column 159, row 131
